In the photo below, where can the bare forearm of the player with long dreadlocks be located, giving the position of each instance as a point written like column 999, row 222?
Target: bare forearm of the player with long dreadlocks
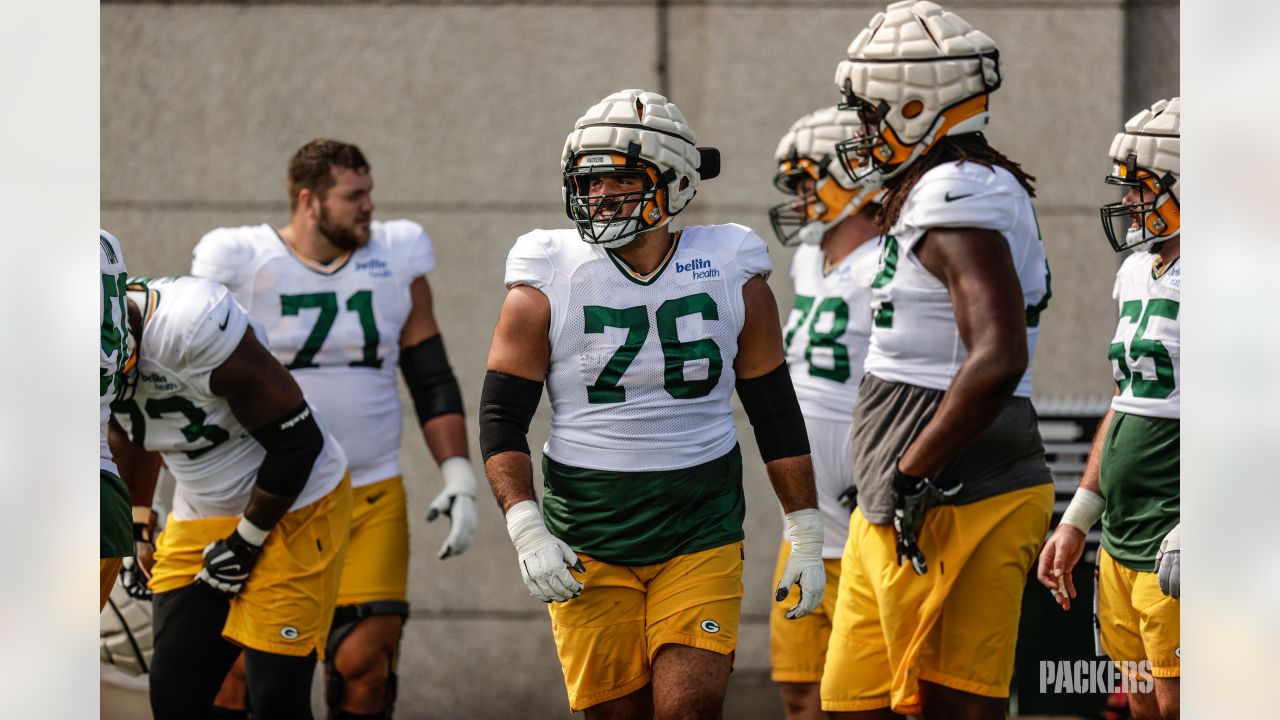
column 979, row 394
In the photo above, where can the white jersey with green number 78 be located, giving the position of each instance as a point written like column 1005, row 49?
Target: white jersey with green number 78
column 829, row 331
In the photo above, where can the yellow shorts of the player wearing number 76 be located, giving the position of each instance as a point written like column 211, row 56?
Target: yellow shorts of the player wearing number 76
column 609, row 636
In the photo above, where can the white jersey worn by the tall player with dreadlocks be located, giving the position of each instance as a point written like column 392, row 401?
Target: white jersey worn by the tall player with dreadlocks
column 915, row 334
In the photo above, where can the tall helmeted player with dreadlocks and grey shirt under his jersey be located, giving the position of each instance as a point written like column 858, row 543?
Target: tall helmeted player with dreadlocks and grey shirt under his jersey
column 954, row 495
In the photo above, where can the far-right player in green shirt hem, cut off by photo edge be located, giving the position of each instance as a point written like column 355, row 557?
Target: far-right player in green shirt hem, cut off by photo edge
column 1132, row 479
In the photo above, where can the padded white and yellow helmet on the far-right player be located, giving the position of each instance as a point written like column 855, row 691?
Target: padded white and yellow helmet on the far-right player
column 1146, row 158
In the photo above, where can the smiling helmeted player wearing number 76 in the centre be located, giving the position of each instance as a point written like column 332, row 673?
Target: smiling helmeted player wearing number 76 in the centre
column 641, row 335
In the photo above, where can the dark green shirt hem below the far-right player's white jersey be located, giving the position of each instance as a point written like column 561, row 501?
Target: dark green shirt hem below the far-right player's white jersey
column 1140, row 482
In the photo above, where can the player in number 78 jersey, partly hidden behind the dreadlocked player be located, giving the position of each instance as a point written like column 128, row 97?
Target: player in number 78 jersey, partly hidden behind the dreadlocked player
column 826, row 339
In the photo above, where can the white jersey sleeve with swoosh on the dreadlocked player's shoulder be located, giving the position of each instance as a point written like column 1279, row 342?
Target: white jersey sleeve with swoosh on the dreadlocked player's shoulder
column 961, row 202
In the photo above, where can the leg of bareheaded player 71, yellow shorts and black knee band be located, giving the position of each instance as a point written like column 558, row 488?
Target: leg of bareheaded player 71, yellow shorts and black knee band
column 364, row 641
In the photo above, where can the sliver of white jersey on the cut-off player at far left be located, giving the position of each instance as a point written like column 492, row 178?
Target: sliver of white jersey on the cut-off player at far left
column 115, row 348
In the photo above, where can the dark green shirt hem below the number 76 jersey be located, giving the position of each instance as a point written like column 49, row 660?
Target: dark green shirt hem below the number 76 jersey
column 650, row 517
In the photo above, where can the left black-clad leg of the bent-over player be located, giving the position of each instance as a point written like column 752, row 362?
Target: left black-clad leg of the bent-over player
column 191, row 657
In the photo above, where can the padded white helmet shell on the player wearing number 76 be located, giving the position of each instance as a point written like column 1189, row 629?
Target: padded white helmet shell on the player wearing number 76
column 650, row 121
